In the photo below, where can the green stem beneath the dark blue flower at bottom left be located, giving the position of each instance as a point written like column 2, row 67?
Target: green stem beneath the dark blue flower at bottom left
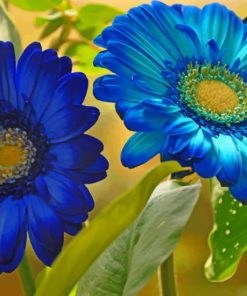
column 26, row 277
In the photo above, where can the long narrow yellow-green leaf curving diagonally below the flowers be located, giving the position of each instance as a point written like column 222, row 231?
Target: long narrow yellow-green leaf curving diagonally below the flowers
column 81, row 252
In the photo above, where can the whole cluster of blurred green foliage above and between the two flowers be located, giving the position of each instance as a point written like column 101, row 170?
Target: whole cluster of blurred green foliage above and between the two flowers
column 89, row 21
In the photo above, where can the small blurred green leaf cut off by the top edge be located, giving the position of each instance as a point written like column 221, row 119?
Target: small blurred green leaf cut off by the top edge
column 36, row 5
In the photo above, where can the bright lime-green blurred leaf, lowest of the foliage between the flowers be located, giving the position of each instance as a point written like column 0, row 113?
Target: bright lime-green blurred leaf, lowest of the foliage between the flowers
column 83, row 56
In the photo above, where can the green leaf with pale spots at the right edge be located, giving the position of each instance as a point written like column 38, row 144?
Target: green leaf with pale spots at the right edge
column 228, row 239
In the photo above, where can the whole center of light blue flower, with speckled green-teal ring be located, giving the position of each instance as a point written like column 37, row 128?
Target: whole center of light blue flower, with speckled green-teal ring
column 214, row 92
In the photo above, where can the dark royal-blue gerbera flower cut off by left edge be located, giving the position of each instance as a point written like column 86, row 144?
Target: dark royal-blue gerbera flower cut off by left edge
column 45, row 157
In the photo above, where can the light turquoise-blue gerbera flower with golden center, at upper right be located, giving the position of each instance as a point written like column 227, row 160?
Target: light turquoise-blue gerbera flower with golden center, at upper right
column 181, row 84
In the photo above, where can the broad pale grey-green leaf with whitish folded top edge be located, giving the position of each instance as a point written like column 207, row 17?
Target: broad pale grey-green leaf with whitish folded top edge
column 128, row 263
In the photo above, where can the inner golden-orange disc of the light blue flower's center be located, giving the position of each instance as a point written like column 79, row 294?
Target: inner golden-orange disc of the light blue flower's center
column 216, row 96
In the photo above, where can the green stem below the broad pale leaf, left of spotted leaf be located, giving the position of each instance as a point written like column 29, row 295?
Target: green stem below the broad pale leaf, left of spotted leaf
column 167, row 278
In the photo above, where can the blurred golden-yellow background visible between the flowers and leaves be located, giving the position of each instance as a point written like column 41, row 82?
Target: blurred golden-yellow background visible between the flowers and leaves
column 192, row 251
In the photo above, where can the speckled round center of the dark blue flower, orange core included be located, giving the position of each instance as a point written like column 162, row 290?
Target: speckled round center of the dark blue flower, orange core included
column 17, row 153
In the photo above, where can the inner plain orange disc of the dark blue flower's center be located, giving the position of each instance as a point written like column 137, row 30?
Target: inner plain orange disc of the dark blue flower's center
column 11, row 155
